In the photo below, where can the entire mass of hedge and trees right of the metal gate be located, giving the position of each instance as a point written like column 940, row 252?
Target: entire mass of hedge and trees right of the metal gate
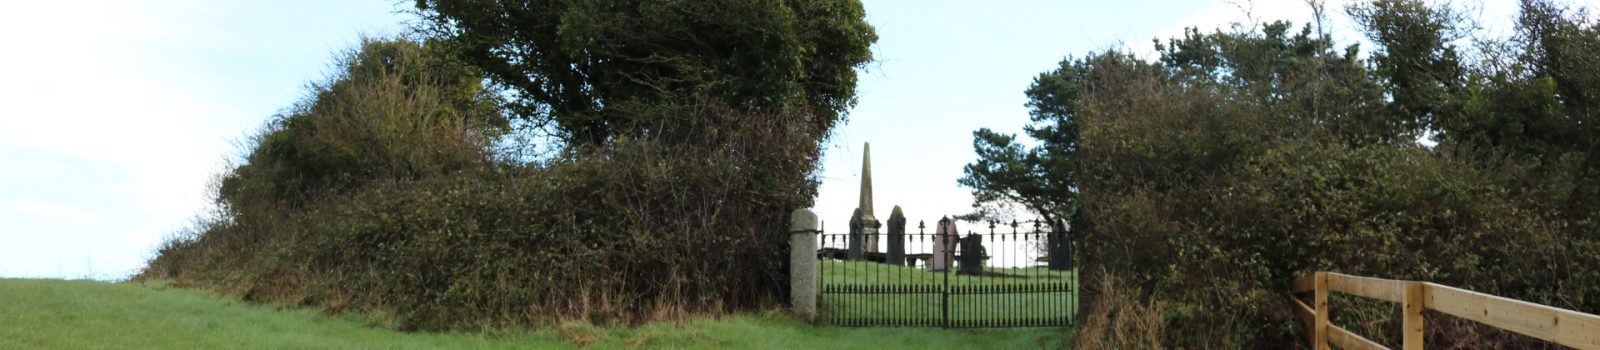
column 1242, row 161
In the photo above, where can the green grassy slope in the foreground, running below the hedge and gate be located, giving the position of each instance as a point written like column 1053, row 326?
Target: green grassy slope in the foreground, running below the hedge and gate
column 54, row 314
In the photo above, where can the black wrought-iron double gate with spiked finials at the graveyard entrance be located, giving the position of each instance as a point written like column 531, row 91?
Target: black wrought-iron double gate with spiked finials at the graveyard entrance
column 945, row 280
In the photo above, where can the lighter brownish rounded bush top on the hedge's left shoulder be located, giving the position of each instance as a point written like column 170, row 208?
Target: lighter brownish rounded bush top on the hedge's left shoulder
column 394, row 111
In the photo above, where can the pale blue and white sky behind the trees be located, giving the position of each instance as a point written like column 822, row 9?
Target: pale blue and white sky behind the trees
column 118, row 114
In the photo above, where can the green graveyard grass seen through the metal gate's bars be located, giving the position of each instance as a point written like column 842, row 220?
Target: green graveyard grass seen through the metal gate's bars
column 1030, row 295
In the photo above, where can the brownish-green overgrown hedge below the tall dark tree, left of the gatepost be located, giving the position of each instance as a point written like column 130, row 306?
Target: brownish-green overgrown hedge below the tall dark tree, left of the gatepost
column 441, row 234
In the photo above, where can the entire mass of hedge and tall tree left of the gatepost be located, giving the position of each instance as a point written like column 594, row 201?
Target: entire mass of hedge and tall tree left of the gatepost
column 689, row 130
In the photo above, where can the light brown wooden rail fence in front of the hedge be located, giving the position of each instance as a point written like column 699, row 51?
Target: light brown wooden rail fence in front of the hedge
column 1554, row 325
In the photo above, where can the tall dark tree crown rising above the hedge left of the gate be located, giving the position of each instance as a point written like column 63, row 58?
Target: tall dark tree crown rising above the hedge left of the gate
column 593, row 70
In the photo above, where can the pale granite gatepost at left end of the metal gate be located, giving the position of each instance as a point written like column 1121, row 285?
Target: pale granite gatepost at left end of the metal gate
column 802, row 263
